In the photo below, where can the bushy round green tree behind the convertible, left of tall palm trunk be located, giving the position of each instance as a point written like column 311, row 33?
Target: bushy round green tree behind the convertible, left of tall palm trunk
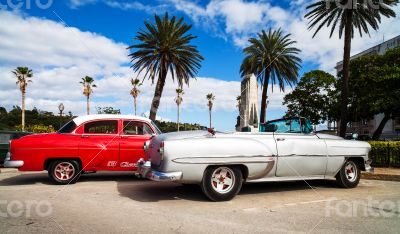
column 311, row 98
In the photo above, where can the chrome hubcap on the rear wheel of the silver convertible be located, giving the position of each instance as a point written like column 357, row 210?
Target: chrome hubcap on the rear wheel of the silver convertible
column 222, row 180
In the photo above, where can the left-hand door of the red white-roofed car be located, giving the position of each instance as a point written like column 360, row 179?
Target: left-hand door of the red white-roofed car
column 99, row 145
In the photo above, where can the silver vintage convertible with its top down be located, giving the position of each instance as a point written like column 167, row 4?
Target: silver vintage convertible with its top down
column 286, row 149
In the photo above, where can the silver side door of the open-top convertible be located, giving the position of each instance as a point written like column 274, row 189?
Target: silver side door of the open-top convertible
column 299, row 154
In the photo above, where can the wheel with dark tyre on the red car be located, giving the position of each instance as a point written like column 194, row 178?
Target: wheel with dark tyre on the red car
column 64, row 171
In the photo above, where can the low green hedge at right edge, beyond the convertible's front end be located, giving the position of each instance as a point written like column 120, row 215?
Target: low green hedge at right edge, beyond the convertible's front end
column 385, row 153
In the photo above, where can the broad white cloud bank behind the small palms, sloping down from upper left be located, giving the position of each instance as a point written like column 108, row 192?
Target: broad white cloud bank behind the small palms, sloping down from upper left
column 59, row 56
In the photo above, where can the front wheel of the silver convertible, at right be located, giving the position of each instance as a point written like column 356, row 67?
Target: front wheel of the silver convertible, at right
column 349, row 175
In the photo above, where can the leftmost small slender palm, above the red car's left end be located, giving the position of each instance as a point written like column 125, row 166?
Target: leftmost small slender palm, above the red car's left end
column 23, row 74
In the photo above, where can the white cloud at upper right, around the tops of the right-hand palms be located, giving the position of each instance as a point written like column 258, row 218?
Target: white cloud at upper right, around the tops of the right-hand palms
column 239, row 20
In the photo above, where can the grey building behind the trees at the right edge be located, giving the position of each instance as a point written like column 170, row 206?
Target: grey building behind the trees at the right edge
column 367, row 127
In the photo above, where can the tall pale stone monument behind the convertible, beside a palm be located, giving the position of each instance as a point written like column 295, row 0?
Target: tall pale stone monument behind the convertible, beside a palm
column 248, row 107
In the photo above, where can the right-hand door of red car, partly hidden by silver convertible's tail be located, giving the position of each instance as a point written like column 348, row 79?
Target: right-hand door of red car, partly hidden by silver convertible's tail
column 133, row 135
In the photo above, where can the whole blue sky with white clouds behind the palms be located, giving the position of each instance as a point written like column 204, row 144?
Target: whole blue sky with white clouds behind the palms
column 70, row 39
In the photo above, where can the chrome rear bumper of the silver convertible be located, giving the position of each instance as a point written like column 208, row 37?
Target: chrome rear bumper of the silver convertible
column 144, row 170
